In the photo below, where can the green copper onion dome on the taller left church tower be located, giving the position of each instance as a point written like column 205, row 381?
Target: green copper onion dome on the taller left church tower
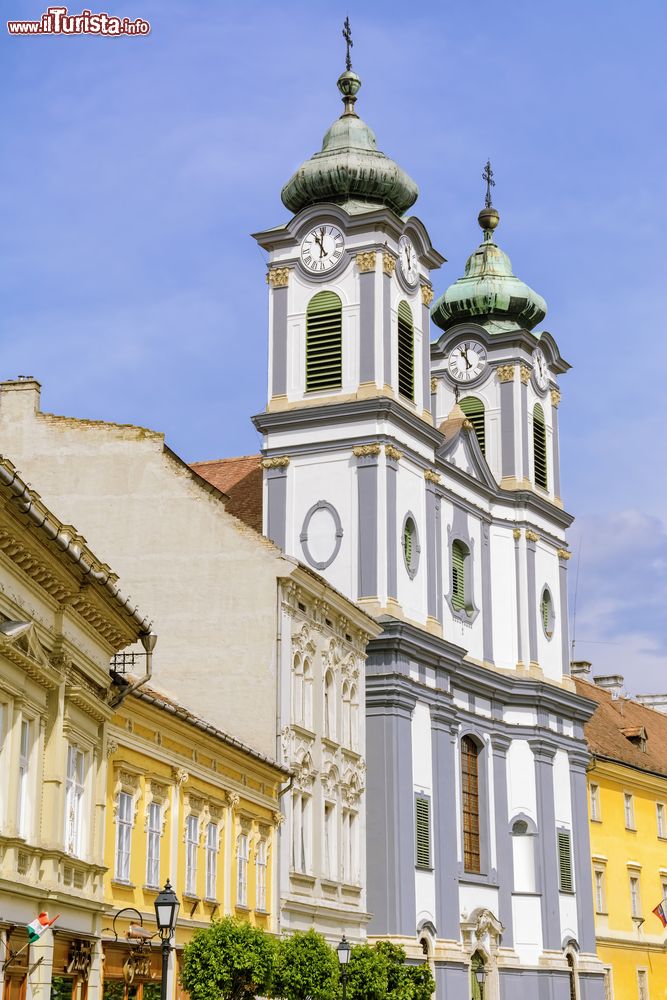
column 350, row 170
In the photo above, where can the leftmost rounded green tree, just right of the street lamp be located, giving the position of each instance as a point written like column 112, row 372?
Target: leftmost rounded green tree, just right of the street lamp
column 230, row 960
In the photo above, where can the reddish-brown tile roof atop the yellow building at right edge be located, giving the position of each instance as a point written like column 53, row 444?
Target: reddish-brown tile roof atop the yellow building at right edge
column 614, row 720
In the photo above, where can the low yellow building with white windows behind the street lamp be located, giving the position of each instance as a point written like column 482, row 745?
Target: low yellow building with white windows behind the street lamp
column 186, row 803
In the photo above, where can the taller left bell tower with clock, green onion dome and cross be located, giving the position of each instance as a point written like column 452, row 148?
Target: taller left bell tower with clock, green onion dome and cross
column 349, row 364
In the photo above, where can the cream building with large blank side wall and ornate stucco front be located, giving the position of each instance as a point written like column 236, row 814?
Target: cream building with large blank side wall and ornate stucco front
column 250, row 639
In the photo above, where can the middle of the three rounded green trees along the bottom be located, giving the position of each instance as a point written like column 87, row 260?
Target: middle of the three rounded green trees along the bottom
column 305, row 966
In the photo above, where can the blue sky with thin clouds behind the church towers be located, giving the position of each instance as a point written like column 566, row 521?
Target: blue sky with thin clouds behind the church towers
column 134, row 170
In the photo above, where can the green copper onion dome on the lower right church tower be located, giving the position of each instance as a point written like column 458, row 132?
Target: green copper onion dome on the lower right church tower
column 488, row 293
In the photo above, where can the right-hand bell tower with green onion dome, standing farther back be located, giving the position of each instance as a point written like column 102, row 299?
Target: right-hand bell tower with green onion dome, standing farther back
column 502, row 373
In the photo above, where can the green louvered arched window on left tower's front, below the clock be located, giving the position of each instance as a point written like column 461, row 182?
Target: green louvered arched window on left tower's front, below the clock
column 324, row 342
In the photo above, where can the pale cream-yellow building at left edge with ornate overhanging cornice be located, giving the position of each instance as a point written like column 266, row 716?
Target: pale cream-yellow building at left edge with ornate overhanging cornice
column 62, row 618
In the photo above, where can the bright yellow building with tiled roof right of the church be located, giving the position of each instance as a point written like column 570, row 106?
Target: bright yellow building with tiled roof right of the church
column 627, row 784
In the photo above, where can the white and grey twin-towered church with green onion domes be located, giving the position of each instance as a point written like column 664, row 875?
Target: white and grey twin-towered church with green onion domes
column 422, row 480
